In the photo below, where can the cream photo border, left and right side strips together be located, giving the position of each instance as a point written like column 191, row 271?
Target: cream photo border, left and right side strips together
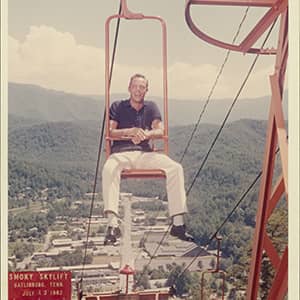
column 293, row 107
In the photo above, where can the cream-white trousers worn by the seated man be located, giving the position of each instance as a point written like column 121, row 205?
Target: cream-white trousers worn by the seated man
column 143, row 160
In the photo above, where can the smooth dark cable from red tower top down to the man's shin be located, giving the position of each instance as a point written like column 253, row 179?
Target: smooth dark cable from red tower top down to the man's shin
column 229, row 111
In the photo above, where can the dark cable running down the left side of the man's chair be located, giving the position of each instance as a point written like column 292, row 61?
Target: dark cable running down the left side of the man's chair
column 100, row 148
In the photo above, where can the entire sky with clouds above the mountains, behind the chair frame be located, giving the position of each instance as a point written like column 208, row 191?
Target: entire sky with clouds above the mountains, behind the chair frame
column 60, row 45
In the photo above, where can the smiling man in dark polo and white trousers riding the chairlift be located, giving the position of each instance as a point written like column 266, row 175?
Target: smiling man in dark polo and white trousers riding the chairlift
column 139, row 121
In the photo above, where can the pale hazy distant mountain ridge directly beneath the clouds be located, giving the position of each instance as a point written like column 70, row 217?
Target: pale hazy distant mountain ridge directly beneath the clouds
column 40, row 104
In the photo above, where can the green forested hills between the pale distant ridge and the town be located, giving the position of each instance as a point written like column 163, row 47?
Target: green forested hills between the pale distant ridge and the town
column 63, row 156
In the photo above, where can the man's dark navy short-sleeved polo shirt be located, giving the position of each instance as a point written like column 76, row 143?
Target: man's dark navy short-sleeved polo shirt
column 127, row 117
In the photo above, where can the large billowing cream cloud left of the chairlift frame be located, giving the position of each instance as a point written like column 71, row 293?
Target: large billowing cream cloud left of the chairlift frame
column 55, row 60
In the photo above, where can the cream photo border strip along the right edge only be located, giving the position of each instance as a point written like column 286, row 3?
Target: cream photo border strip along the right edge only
column 293, row 150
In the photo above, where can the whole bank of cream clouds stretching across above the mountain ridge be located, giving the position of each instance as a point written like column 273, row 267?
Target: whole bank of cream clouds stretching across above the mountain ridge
column 54, row 59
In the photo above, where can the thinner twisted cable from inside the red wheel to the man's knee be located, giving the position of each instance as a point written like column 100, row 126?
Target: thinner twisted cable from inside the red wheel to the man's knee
column 214, row 86
